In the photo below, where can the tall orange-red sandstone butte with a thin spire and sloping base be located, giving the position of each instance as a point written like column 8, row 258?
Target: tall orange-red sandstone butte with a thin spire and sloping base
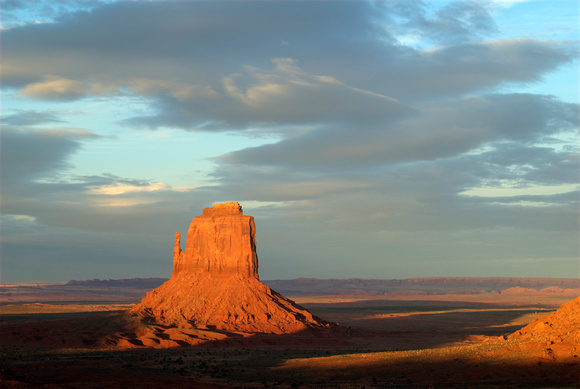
column 215, row 282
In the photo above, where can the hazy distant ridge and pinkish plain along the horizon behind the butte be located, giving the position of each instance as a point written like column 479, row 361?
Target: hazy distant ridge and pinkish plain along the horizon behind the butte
column 133, row 289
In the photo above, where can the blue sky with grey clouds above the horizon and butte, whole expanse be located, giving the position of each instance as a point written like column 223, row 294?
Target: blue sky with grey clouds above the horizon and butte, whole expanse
column 380, row 139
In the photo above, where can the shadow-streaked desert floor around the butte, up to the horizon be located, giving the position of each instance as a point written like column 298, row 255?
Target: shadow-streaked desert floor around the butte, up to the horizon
column 431, row 336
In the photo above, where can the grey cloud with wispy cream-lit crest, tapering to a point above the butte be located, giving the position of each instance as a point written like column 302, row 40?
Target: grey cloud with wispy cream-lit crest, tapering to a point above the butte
column 284, row 96
